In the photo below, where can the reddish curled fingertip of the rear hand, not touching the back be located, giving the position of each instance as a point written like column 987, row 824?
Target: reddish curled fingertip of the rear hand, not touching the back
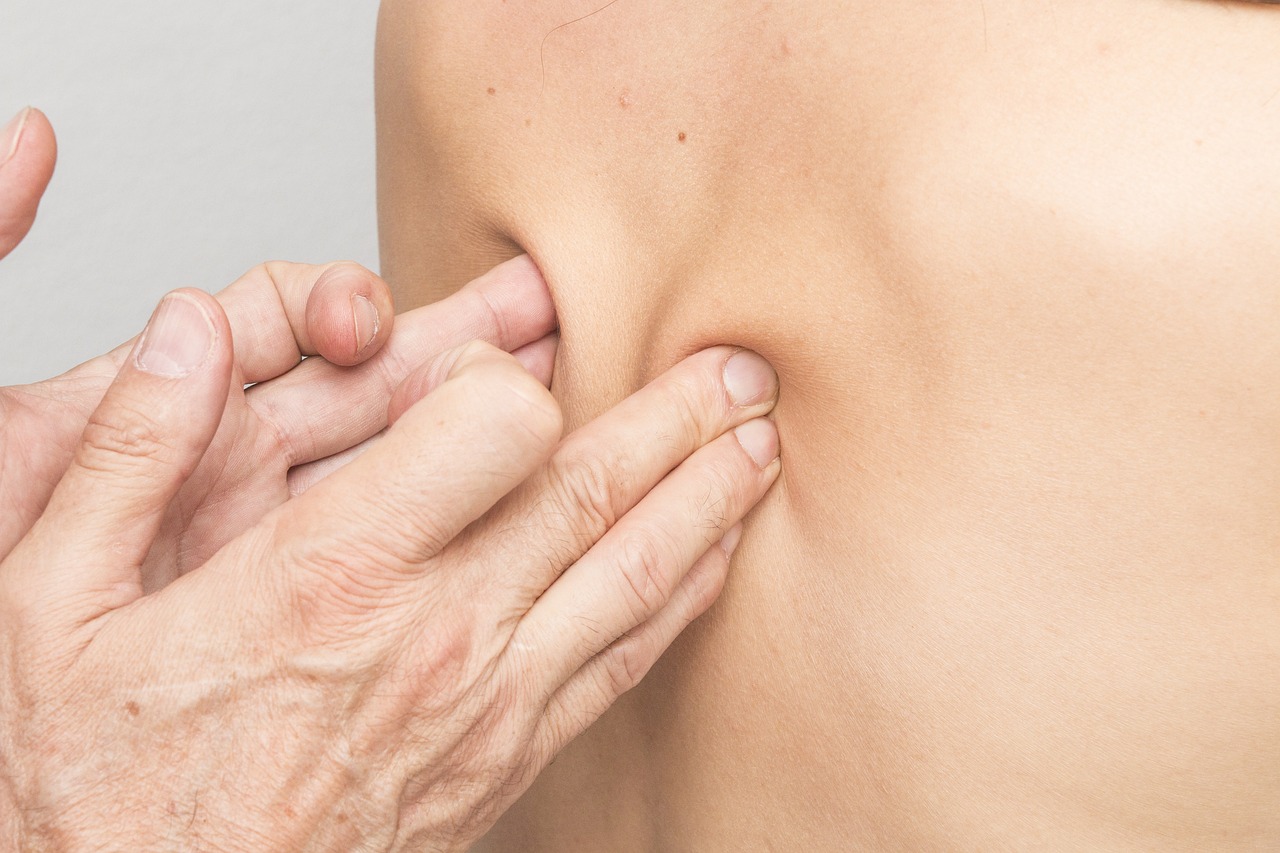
column 350, row 314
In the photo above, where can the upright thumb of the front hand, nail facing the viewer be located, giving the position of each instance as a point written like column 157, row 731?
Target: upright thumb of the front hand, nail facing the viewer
column 140, row 446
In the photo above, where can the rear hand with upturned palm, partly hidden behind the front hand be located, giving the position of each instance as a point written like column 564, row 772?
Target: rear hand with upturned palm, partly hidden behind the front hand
column 300, row 421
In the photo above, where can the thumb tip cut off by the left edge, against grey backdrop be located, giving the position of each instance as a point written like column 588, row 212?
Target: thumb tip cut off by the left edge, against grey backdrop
column 28, row 156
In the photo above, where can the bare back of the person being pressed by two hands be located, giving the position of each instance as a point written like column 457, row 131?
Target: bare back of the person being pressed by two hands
column 1017, row 266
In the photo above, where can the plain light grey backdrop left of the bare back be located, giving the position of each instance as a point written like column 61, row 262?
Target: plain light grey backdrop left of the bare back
column 196, row 140
